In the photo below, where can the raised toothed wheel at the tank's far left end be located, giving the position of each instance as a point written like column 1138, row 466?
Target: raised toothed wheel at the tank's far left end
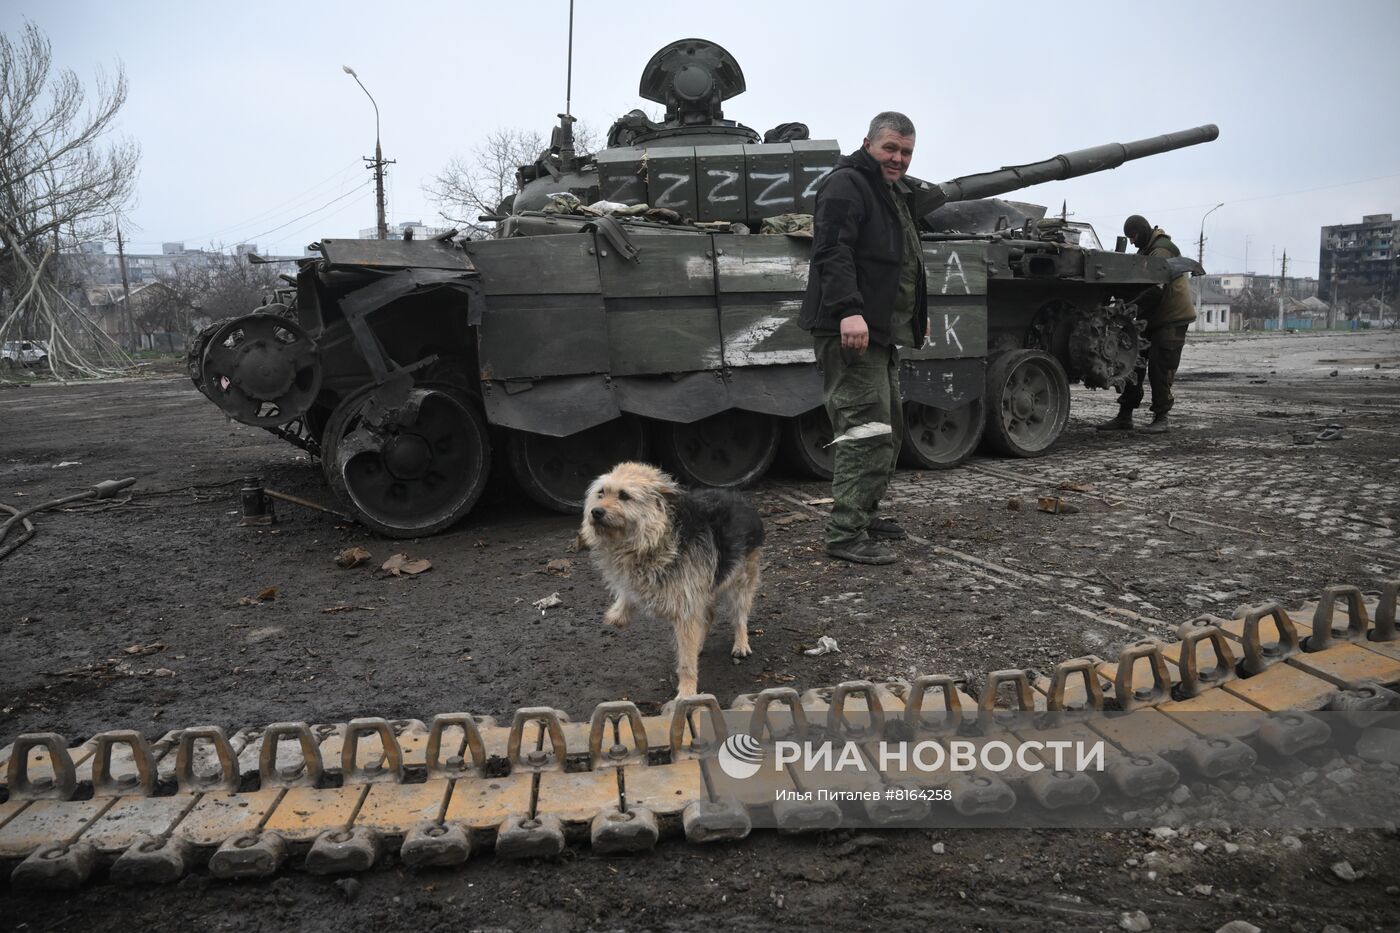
column 261, row 369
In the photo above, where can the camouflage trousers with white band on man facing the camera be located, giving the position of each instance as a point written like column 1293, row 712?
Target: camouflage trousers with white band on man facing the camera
column 862, row 397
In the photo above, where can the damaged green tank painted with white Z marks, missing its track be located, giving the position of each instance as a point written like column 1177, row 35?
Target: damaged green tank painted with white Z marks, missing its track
column 642, row 303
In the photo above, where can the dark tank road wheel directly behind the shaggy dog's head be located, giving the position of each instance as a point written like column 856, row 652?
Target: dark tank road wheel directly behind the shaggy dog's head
column 556, row 471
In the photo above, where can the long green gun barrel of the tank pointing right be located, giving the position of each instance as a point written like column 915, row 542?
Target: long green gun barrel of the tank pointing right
column 1084, row 162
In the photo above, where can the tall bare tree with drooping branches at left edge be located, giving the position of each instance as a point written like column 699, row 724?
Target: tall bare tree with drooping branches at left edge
column 62, row 181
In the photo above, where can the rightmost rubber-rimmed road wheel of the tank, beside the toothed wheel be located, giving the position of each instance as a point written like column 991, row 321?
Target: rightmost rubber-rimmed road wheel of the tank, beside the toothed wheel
column 1028, row 403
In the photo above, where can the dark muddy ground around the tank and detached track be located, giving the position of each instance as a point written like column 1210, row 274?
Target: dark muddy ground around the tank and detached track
column 1227, row 509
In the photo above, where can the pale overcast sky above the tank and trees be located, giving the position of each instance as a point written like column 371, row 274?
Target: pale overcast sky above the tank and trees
column 250, row 131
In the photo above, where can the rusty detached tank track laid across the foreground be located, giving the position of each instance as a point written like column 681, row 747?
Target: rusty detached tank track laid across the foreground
column 430, row 795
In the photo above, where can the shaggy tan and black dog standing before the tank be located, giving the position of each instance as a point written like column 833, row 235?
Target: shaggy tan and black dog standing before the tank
column 680, row 555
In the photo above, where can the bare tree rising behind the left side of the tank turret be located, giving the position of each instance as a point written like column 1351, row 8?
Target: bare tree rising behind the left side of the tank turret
column 478, row 184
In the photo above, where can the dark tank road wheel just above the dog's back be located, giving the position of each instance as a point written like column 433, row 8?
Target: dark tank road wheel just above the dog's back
column 729, row 450
